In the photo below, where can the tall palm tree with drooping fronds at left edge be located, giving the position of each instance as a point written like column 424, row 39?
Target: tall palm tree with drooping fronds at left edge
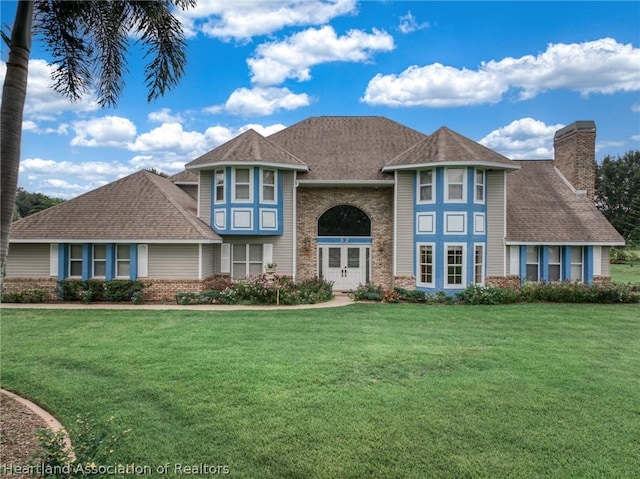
column 88, row 41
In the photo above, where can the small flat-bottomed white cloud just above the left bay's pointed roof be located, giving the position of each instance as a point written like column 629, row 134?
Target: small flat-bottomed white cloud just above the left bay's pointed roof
column 261, row 101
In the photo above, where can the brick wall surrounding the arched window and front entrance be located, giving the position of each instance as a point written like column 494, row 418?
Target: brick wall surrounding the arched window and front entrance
column 377, row 203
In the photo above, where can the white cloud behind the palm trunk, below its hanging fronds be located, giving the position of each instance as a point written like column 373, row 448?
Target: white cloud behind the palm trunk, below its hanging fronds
column 42, row 101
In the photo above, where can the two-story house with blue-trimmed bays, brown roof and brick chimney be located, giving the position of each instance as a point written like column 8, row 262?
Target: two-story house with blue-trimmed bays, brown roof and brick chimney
column 349, row 199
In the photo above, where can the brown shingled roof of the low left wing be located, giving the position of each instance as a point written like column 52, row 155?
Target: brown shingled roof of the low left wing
column 140, row 207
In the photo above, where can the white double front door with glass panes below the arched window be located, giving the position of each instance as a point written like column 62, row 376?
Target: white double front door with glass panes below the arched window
column 345, row 265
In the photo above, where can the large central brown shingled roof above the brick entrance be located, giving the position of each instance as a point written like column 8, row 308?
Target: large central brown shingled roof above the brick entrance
column 339, row 148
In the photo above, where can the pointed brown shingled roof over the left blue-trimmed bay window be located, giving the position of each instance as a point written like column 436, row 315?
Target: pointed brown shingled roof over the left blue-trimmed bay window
column 250, row 147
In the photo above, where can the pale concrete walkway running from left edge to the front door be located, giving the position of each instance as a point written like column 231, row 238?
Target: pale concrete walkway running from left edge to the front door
column 337, row 301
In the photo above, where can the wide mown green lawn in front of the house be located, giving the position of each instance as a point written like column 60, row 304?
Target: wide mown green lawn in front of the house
column 365, row 391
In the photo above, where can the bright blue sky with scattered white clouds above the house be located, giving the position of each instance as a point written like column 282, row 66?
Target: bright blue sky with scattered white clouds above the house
column 505, row 74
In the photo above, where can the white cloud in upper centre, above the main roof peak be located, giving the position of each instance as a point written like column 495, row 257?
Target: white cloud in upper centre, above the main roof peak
column 275, row 62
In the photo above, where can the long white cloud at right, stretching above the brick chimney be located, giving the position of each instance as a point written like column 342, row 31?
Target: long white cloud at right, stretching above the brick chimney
column 601, row 66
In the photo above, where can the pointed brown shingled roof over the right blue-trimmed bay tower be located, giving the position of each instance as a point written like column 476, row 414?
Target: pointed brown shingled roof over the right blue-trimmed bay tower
column 446, row 147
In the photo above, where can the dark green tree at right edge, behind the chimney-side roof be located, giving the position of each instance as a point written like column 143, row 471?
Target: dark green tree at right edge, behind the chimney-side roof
column 618, row 193
